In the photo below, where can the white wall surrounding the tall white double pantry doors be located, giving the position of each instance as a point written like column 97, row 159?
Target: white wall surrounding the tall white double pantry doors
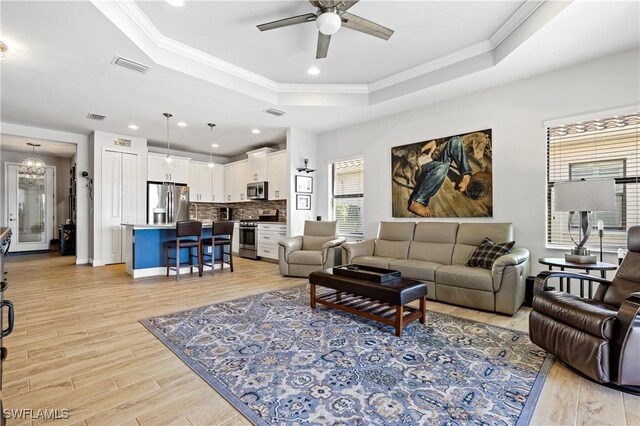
column 101, row 141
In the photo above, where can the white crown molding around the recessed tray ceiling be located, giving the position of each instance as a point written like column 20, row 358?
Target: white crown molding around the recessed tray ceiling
column 137, row 26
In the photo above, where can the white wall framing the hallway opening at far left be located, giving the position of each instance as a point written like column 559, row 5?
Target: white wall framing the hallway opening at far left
column 82, row 160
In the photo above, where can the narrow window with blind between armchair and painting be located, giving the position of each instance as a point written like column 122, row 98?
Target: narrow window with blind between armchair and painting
column 347, row 196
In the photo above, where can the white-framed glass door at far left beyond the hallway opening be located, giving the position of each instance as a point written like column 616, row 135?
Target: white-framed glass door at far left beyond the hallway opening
column 30, row 208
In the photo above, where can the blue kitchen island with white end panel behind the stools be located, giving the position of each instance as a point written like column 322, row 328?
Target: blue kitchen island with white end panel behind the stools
column 144, row 251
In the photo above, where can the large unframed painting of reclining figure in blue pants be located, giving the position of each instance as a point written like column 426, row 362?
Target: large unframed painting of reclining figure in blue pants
column 444, row 177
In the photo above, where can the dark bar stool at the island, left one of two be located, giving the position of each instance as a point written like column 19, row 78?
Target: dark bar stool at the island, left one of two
column 186, row 231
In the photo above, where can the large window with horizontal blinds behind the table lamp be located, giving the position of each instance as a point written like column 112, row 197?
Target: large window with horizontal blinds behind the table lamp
column 596, row 149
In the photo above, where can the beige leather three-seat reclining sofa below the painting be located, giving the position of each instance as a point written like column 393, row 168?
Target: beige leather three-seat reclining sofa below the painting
column 436, row 252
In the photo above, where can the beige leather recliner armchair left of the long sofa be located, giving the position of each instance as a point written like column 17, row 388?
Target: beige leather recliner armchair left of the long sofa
column 319, row 248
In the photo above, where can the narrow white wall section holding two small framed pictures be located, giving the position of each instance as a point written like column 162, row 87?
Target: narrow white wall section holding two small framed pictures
column 300, row 145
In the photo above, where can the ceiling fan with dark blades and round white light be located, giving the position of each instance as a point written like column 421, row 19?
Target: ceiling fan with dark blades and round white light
column 330, row 16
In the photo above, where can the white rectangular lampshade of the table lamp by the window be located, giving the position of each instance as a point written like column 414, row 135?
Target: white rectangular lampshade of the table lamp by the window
column 585, row 195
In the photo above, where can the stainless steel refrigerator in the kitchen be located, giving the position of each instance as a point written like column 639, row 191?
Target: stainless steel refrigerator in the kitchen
column 167, row 202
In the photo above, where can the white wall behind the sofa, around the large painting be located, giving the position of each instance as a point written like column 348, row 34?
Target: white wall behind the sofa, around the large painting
column 516, row 113
